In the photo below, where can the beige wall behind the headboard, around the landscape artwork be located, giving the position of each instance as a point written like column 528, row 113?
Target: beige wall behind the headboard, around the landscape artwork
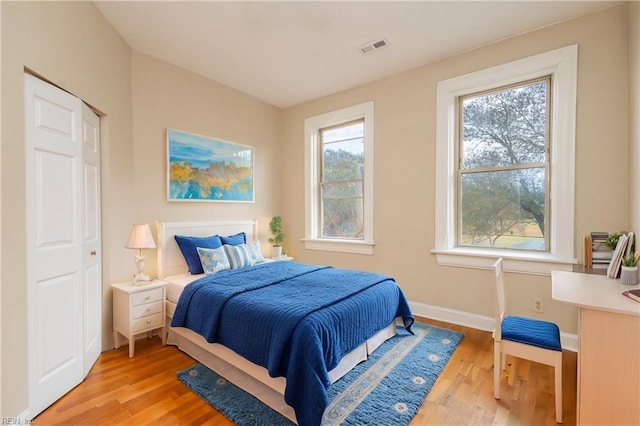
column 165, row 96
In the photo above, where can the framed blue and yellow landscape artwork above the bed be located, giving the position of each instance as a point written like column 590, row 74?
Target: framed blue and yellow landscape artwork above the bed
column 201, row 168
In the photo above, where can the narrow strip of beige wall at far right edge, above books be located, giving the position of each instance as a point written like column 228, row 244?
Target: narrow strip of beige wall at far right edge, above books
column 633, row 40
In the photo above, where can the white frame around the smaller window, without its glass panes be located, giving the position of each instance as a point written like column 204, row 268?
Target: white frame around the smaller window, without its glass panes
column 313, row 217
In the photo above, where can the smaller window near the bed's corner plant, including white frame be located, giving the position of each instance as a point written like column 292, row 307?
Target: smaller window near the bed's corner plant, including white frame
column 339, row 180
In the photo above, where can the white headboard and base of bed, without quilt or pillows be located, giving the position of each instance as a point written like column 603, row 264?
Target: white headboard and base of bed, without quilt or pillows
column 243, row 373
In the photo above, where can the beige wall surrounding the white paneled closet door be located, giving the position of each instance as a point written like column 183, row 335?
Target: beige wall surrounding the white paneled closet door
column 72, row 45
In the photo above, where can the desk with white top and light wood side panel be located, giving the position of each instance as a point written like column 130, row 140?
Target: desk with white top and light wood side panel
column 608, row 347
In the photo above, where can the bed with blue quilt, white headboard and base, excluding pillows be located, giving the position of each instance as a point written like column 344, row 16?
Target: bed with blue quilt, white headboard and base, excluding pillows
column 267, row 381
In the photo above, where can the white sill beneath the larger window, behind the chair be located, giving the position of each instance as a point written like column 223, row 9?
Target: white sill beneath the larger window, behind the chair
column 526, row 263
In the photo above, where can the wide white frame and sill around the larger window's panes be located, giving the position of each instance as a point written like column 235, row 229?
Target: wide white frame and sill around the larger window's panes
column 562, row 65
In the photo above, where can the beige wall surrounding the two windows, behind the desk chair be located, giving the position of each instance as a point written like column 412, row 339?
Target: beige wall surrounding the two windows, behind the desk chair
column 405, row 169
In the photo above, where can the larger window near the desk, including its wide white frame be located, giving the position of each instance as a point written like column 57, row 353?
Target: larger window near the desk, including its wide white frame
column 505, row 183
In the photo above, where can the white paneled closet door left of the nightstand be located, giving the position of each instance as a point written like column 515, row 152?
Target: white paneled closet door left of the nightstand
column 63, row 241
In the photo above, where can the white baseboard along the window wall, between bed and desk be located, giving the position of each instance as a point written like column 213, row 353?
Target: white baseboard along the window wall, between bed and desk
column 479, row 322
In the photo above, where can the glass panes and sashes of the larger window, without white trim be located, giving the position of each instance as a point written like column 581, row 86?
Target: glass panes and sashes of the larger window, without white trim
column 503, row 167
